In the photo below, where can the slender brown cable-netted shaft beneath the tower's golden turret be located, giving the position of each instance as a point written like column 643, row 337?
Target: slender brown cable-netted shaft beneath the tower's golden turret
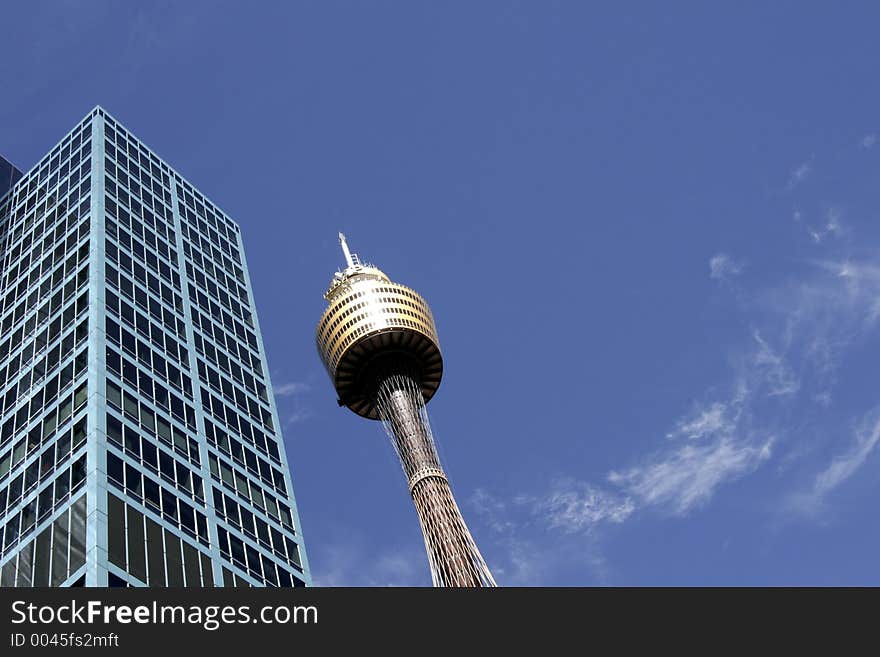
column 453, row 555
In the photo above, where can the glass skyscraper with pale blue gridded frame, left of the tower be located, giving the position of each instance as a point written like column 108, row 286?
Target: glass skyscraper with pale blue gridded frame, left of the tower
column 139, row 438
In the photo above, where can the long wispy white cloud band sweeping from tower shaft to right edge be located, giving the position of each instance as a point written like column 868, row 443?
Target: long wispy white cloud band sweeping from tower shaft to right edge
column 801, row 331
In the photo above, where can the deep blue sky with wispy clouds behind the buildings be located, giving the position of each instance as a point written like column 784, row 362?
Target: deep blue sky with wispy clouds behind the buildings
column 650, row 236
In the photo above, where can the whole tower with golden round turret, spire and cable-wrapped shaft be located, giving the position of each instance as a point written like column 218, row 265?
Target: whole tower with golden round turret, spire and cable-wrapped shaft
column 378, row 342
